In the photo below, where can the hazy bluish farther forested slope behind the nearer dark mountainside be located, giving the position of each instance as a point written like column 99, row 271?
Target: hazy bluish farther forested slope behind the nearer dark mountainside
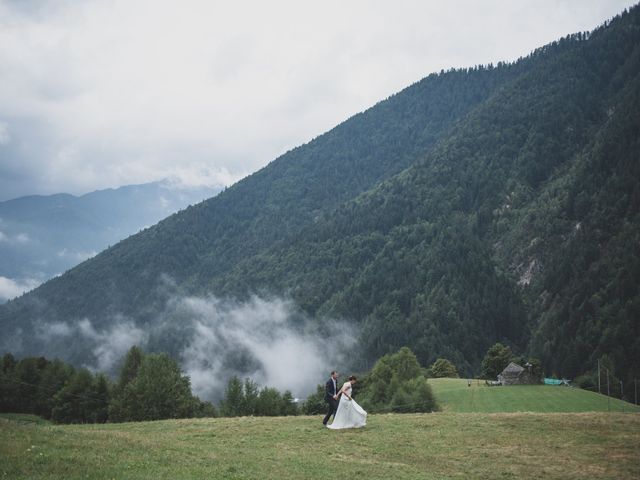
column 278, row 201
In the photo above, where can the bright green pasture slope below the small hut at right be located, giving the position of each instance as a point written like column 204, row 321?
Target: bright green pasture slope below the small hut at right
column 454, row 395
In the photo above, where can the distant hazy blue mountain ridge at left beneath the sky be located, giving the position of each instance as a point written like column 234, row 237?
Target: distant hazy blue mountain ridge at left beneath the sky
column 45, row 235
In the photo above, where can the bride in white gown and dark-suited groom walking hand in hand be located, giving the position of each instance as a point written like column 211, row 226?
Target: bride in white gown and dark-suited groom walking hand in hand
column 346, row 412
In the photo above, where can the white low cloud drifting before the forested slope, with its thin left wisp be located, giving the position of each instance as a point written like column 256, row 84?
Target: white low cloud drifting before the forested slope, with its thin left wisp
column 269, row 340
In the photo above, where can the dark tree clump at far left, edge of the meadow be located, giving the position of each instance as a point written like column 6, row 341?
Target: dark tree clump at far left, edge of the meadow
column 149, row 387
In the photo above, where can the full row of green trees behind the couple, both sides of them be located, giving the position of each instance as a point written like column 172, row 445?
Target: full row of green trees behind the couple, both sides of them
column 152, row 387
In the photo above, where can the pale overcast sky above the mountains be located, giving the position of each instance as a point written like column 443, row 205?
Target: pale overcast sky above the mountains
column 97, row 94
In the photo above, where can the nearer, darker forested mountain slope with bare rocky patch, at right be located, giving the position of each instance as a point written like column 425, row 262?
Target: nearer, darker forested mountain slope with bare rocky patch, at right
column 433, row 257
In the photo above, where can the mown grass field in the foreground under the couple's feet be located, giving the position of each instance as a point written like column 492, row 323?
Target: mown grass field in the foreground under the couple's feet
column 411, row 446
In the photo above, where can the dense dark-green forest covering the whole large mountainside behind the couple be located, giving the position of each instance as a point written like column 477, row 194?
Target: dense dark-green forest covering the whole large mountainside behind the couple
column 485, row 204
